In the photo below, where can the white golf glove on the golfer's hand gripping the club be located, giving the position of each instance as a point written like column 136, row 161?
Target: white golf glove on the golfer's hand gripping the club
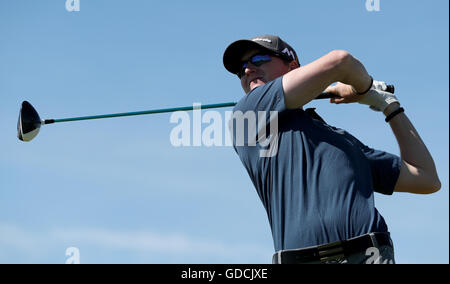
column 377, row 97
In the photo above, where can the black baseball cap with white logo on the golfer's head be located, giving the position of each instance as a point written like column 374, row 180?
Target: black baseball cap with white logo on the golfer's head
column 274, row 44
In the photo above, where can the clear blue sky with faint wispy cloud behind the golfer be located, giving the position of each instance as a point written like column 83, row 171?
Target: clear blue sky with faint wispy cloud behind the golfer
column 121, row 193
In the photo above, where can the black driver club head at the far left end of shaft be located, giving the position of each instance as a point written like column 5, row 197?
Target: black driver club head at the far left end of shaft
column 29, row 122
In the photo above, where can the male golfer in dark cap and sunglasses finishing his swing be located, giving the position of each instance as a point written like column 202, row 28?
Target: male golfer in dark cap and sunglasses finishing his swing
column 318, row 188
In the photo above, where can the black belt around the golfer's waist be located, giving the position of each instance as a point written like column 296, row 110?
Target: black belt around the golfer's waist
column 333, row 251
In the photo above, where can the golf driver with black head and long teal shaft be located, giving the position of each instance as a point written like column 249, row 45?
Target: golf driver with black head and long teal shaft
column 29, row 122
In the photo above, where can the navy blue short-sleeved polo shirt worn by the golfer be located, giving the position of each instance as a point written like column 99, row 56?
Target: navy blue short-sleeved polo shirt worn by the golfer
column 319, row 186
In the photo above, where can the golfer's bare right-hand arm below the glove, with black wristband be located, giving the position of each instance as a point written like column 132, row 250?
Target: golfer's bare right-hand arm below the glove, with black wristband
column 418, row 172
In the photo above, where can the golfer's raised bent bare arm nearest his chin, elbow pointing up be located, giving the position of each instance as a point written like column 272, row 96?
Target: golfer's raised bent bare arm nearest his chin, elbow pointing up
column 304, row 84
